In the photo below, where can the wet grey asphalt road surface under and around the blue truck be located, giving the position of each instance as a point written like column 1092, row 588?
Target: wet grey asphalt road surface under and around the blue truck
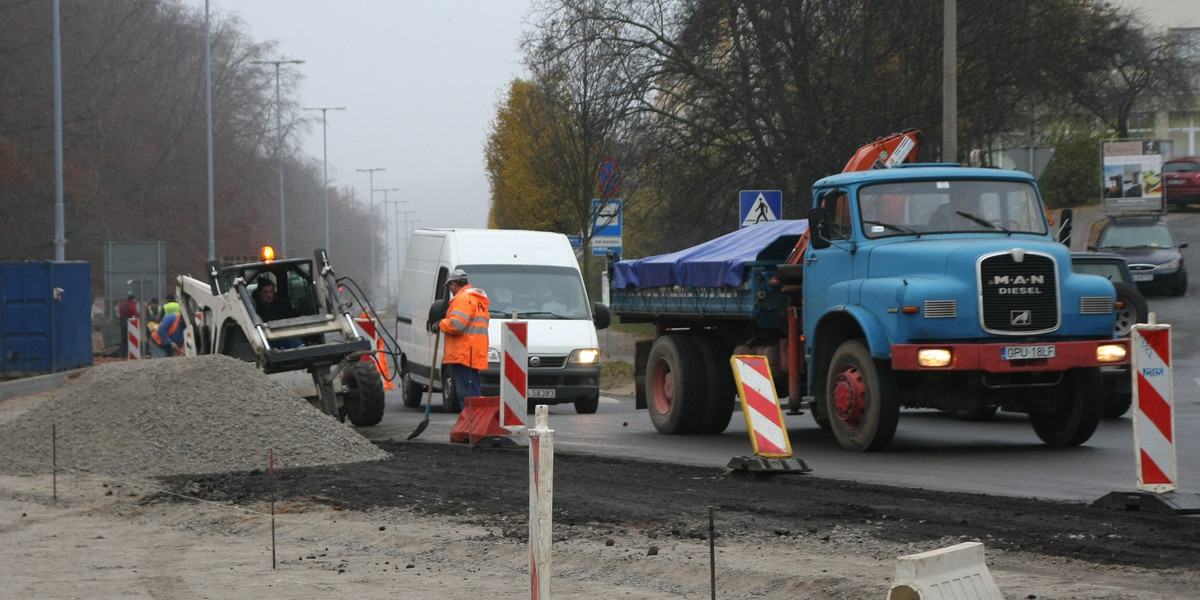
column 932, row 451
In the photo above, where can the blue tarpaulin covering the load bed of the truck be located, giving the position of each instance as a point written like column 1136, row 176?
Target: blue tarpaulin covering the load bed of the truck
column 716, row 263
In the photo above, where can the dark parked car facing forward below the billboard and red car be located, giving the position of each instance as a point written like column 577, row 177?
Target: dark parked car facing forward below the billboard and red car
column 1153, row 253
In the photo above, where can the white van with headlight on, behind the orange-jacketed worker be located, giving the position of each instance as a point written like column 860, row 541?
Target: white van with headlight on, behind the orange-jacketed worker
column 532, row 273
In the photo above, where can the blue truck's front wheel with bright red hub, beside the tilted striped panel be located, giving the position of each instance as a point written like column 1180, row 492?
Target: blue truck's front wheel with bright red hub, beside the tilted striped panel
column 861, row 400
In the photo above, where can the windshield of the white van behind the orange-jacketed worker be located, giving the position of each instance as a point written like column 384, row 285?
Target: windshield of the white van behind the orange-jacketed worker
column 536, row 292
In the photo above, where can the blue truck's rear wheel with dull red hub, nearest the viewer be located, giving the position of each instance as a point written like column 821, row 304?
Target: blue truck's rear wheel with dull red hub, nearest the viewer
column 676, row 389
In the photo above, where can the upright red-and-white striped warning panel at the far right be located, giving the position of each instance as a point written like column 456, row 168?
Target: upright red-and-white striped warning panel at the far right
column 1154, row 397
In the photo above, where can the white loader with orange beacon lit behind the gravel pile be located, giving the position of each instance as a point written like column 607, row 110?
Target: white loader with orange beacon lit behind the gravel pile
column 321, row 339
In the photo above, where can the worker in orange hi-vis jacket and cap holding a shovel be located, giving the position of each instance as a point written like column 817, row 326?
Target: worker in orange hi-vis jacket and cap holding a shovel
column 466, row 329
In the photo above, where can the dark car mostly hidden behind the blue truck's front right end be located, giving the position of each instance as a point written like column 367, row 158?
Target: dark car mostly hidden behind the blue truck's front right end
column 1131, row 309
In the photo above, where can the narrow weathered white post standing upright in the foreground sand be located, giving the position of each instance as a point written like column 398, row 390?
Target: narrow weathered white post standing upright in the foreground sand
column 542, row 505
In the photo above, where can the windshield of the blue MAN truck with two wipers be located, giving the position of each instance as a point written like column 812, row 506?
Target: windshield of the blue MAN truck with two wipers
column 919, row 208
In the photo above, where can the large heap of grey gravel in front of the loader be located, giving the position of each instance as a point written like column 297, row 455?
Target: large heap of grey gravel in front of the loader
column 181, row 416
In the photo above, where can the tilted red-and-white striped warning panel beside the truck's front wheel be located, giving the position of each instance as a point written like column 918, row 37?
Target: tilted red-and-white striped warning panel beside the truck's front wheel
column 760, row 405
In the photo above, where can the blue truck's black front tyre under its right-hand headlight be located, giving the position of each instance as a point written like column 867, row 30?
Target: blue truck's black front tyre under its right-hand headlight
column 1073, row 410
